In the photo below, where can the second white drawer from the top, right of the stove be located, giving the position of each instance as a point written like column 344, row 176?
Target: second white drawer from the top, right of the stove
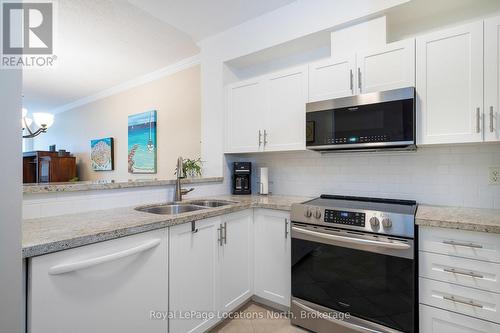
column 466, row 272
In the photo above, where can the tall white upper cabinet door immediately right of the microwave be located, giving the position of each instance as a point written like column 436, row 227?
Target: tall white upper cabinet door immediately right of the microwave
column 450, row 85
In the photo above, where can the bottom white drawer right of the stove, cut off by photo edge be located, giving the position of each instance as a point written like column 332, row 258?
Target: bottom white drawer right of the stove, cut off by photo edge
column 434, row 320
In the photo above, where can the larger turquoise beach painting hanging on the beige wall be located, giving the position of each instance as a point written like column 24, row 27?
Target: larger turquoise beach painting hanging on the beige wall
column 142, row 142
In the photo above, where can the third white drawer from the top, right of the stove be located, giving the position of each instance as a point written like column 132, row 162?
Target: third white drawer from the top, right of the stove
column 465, row 300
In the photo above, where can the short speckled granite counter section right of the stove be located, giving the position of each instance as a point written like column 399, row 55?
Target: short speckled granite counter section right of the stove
column 472, row 219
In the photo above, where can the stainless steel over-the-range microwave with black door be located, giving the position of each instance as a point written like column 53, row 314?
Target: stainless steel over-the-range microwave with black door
column 373, row 121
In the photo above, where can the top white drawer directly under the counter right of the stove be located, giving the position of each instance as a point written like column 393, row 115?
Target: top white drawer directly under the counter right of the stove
column 460, row 243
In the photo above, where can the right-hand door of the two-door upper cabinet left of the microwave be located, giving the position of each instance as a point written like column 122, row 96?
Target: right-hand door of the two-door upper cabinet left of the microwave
column 286, row 97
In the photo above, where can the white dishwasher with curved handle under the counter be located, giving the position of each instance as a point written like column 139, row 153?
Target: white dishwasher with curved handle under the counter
column 101, row 288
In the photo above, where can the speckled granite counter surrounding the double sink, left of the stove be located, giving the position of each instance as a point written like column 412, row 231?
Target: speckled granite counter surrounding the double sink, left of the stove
column 51, row 234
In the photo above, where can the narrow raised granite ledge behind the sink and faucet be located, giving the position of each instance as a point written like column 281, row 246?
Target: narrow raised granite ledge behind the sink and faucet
column 110, row 184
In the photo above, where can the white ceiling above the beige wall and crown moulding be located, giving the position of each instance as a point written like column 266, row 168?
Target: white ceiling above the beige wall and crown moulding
column 102, row 43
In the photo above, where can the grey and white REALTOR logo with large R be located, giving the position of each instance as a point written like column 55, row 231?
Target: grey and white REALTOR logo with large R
column 27, row 34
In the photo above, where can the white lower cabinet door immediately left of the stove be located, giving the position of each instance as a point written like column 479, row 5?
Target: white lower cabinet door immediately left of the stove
column 272, row 256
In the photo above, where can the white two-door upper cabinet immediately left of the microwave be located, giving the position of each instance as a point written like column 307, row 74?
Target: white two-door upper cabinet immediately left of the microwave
column 267, row 113
